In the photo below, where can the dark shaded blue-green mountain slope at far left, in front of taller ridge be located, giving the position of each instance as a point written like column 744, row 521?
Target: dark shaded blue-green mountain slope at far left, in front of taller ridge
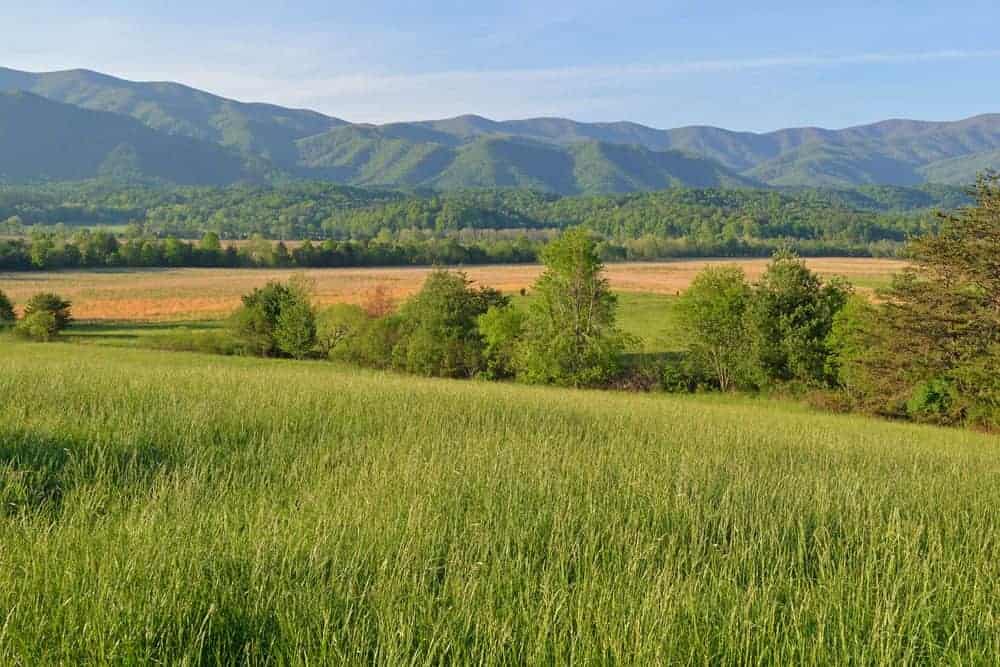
column 45, row 140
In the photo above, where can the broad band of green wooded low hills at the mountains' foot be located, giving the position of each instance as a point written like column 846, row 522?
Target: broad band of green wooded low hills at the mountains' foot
column 845, row 220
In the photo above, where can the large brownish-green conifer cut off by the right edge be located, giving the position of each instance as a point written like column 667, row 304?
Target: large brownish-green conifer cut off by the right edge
column 941, row 319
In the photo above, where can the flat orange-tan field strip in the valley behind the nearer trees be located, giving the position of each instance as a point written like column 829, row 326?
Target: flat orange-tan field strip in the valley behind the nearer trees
column 205, row 294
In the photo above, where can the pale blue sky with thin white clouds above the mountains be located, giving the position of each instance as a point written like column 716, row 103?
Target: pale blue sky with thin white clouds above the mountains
column 753, row 66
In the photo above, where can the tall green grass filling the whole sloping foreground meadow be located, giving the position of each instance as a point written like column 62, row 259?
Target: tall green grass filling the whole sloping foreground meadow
column 163, row 508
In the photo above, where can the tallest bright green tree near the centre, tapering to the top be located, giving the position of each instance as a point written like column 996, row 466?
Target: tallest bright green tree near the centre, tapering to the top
column 570, row 334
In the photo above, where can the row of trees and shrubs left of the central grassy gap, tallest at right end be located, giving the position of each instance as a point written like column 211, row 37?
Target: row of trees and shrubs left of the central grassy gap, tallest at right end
column 451, row 328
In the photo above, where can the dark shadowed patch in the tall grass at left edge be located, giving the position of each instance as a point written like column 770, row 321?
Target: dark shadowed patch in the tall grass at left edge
column 37, row 471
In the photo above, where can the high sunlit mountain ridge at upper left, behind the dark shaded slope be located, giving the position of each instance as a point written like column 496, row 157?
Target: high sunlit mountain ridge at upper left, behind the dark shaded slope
column 262, row 129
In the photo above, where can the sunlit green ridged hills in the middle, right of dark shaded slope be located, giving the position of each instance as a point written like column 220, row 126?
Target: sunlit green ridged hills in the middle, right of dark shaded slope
column 408, row 156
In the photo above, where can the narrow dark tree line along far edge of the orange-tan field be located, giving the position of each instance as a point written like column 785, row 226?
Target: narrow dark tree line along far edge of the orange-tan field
column 87, row 249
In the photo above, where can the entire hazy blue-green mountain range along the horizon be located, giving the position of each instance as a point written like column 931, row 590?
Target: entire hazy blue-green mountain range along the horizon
column 80, row 124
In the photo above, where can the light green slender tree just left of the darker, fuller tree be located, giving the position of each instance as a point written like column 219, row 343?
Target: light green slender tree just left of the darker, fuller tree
column 711, row 313
